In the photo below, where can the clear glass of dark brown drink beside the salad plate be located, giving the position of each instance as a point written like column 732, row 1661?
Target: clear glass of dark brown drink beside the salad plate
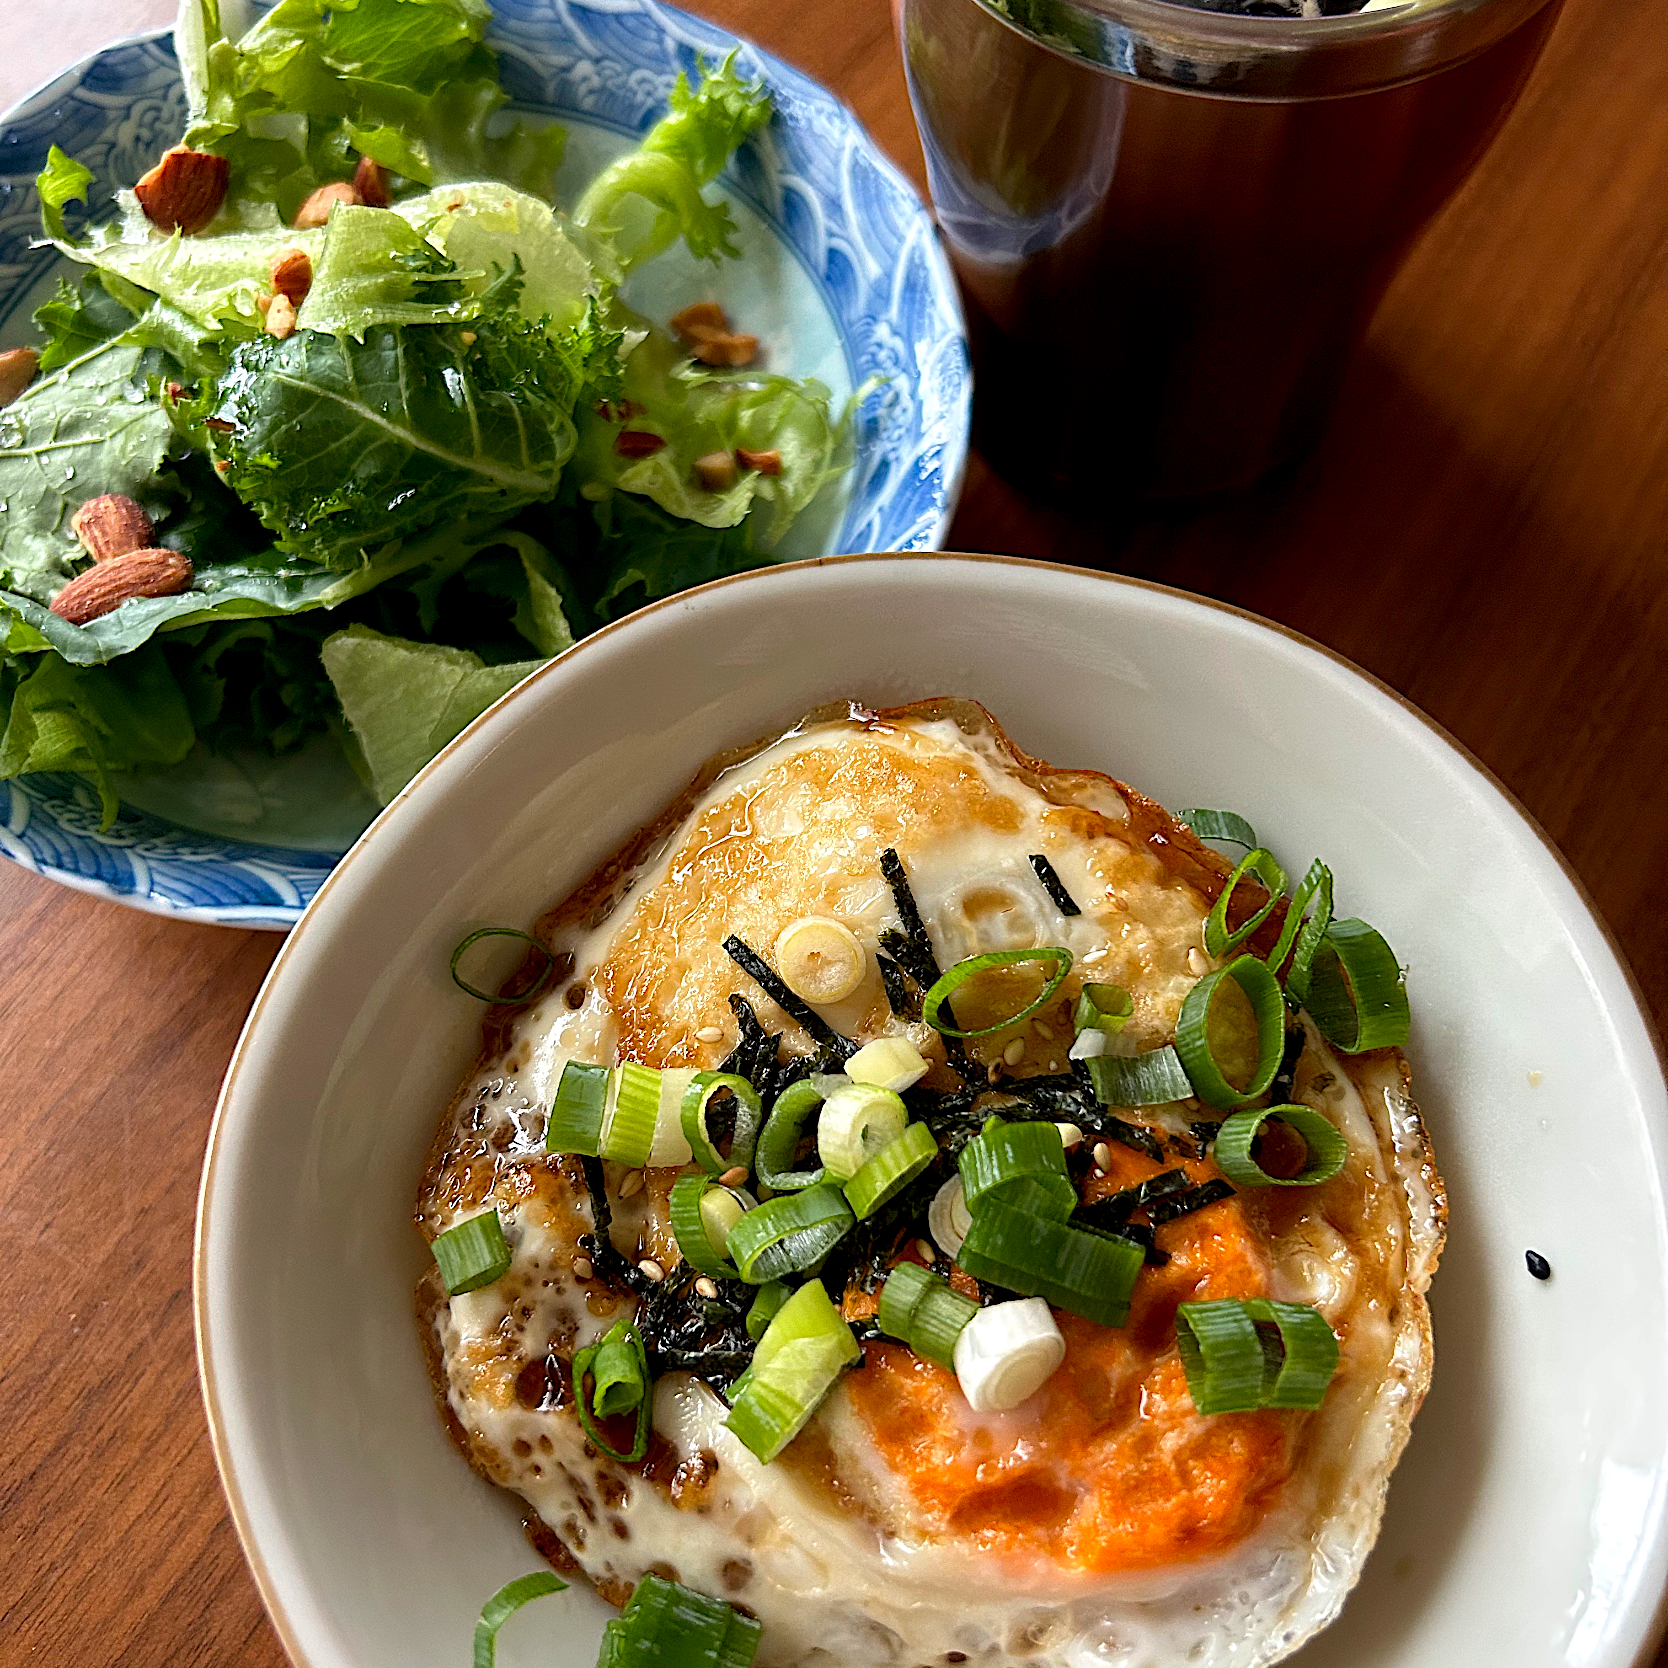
column 1172, row 226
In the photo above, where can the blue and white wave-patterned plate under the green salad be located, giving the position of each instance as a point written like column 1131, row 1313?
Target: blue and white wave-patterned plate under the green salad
column 843, row 278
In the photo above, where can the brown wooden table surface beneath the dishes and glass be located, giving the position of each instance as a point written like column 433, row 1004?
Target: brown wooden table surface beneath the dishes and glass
column 1485, row 526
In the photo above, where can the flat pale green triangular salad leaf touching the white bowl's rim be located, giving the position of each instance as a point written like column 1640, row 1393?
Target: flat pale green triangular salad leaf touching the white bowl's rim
column 406, row 701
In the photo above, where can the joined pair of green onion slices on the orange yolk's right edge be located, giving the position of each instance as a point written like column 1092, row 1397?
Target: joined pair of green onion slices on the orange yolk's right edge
column 1248, row 1354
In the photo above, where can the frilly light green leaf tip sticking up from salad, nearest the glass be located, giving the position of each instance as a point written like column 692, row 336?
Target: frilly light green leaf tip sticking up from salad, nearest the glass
column 651, row 198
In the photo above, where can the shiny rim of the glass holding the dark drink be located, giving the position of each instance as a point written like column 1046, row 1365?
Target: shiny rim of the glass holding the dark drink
column 1280, row 59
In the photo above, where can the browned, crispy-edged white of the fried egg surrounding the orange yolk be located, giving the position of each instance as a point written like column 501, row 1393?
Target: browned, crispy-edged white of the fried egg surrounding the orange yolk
column 826, row 1545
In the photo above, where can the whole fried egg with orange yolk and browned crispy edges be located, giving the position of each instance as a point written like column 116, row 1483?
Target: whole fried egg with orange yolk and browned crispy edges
column 1102, row 1524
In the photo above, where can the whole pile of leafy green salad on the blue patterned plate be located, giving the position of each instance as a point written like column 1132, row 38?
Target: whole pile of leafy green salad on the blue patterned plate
column 409, row 480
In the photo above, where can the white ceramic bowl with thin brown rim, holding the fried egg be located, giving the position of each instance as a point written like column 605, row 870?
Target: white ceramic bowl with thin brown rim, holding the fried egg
column 1527, row 1524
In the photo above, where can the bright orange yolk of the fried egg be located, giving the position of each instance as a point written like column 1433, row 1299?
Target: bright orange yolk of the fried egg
column 1108, row 1467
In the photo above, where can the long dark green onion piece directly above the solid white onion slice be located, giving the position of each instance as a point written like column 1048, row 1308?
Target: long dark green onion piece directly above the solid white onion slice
column 1073, row 1267
